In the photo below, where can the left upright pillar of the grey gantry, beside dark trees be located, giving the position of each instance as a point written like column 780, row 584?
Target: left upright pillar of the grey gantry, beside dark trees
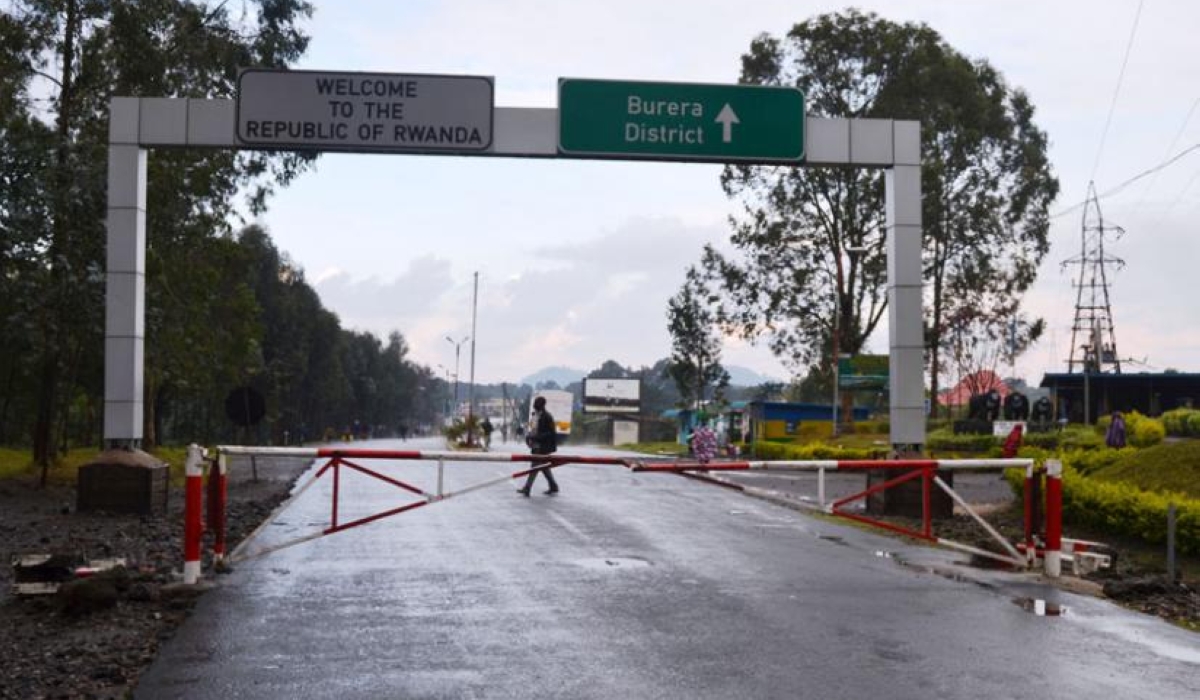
column 125, row 283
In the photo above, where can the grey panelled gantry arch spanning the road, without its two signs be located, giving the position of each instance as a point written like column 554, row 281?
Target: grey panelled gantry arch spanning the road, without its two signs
column 139, row 124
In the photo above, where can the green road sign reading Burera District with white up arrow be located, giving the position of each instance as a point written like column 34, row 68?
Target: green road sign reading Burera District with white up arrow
column 680, row 122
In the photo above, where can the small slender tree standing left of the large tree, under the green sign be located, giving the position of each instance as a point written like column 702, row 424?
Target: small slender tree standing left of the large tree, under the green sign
column 695, row 344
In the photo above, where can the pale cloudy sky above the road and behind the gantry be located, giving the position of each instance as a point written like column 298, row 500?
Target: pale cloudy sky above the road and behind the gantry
column 577, row 260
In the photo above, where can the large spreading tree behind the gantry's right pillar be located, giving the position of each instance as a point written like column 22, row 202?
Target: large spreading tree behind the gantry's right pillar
column 987, row 187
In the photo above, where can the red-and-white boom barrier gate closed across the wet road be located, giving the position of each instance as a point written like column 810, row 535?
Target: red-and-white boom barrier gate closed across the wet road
column 349, row 459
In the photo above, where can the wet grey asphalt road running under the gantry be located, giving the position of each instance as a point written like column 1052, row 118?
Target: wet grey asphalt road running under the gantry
column 631, row 585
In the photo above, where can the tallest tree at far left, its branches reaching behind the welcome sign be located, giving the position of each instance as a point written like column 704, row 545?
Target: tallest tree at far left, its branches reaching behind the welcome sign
column 64, row 61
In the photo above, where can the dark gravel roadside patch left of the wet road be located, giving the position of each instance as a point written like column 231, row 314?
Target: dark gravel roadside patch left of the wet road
column 95, row 637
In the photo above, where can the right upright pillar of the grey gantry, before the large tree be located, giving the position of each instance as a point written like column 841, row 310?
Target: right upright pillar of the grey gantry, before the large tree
column 907, row 343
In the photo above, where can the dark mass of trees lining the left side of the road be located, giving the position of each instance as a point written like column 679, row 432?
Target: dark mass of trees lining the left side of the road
column 224, row 309
